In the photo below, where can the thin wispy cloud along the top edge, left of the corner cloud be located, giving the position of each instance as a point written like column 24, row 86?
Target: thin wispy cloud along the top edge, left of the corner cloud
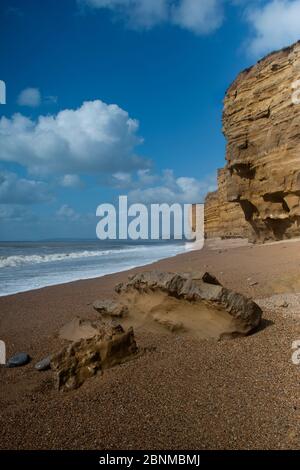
column 198, row 16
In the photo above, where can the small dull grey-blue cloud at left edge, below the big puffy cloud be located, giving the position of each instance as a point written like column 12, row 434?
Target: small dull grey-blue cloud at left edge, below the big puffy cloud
column 15, row 190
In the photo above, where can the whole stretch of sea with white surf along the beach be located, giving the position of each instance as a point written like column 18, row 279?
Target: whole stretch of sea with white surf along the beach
column 31, row 265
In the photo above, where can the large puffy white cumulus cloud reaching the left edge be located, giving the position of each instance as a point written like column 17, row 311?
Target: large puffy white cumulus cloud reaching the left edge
column 94, row 138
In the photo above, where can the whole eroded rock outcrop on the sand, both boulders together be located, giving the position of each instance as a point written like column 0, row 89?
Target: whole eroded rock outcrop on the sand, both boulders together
column 178, row 303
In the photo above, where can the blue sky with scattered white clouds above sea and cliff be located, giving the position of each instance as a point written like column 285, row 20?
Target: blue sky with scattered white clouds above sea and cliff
column 119, row 97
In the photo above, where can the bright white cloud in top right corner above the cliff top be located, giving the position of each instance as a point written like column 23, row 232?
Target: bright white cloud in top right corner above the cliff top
column 275, row 25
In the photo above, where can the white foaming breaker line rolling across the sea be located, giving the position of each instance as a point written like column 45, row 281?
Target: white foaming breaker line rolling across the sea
column 19, row 260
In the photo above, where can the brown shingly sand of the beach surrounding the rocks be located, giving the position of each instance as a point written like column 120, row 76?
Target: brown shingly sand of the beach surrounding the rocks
column 183, row 392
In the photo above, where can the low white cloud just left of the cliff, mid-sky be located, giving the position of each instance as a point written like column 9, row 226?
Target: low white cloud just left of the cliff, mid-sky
column 169, row 189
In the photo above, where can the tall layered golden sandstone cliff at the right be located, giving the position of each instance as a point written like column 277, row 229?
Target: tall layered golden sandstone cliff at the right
column 259, row 189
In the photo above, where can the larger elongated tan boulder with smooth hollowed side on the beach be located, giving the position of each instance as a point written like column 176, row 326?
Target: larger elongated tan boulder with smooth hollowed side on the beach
column 193, row 302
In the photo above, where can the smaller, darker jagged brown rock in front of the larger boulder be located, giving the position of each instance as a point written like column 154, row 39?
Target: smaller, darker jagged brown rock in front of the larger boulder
column 83, row 359
